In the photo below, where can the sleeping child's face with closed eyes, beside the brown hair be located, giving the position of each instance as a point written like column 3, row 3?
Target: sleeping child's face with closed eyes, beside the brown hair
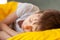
column 32, row 23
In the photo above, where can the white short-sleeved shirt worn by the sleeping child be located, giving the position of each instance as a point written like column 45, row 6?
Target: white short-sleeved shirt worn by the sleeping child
column 23, row 11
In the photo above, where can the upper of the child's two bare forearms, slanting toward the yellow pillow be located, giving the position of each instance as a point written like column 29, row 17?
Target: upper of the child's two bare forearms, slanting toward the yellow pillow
column 8, row 30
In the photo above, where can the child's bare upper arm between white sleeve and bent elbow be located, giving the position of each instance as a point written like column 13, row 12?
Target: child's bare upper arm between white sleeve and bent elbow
column 10, row 18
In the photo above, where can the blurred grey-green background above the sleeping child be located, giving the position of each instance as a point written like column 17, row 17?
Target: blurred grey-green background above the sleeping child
column 43, row 4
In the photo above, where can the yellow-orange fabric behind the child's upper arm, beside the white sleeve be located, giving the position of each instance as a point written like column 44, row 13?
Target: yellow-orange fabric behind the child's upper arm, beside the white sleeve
column 6, row 9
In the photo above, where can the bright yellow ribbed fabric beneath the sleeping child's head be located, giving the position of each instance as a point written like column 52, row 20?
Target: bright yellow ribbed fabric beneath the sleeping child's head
column 42, row 35
